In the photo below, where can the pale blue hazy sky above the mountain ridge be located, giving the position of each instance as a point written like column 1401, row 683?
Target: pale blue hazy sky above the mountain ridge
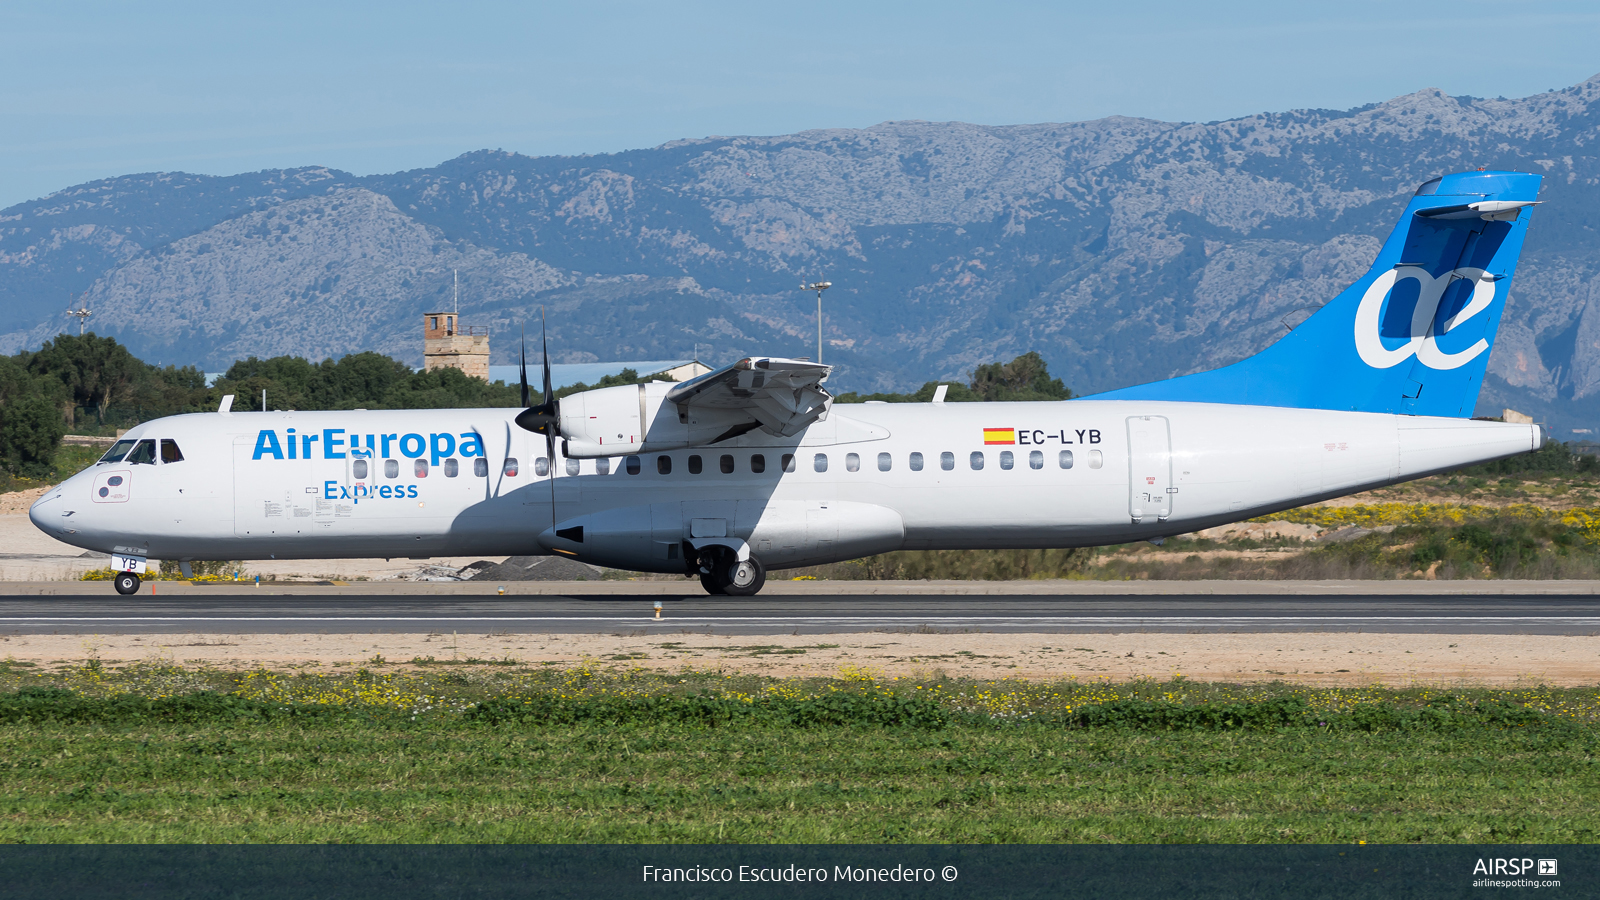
column 90, row 90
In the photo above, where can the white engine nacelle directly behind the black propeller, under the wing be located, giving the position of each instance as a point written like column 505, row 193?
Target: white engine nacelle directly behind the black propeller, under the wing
column 607, row 422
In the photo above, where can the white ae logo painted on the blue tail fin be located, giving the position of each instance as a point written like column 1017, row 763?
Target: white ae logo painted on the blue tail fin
column 1423, row 344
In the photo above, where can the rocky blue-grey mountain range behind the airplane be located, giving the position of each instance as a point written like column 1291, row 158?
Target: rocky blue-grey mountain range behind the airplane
column 1122, row 251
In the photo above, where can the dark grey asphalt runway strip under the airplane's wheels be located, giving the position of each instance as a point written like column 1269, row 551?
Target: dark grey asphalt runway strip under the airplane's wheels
column 1503, row 614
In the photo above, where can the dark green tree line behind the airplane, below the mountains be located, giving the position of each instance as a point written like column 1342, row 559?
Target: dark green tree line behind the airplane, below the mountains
column 94, row 385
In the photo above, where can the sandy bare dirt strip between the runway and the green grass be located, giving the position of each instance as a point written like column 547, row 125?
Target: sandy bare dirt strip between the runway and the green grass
column 1303, row 659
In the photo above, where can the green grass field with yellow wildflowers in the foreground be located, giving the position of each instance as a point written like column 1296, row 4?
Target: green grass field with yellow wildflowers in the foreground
column 486, row 755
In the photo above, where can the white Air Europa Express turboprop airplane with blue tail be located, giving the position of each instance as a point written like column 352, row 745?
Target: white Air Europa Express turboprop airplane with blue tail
column 754, row 467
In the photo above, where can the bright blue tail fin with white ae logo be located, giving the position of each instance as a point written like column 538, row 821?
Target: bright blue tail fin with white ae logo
column 1414, row 334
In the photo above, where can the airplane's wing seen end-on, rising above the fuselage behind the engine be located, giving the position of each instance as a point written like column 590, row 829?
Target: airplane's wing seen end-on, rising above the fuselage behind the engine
column 783, row 396
